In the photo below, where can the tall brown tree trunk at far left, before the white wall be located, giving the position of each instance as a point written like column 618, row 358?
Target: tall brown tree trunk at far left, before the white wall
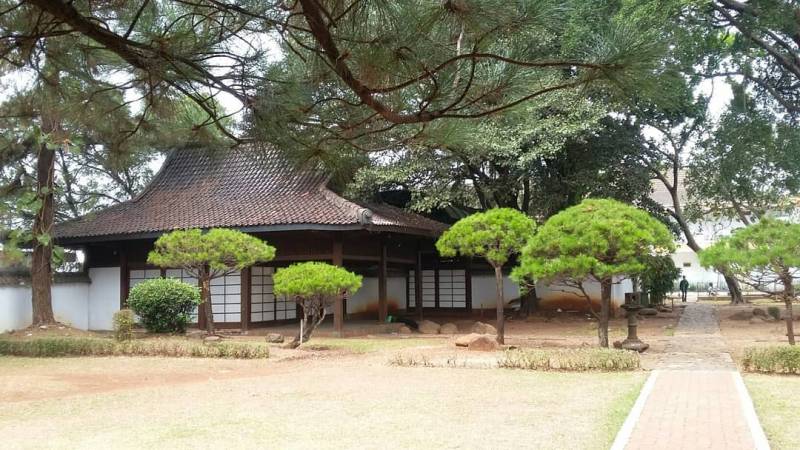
column 41, row 259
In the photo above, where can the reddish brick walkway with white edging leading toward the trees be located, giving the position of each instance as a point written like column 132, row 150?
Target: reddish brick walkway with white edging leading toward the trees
column 694, row 400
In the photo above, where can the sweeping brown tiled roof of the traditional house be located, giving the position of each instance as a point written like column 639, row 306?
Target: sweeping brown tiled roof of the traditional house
column 247, row 187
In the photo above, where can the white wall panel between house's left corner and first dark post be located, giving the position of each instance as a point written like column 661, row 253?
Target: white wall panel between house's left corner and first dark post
column 103, row 297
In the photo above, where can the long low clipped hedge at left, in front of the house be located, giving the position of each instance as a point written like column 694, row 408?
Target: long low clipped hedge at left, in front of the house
column 58, row 346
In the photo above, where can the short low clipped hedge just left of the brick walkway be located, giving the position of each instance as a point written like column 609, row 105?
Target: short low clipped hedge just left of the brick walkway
column 571, row 360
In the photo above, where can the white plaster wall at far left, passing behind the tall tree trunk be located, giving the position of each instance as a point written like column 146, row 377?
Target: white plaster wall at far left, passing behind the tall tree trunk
column 83, row 305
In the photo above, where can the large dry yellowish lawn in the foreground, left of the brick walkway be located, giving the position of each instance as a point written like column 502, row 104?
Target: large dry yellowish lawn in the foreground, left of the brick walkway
column 350, row 401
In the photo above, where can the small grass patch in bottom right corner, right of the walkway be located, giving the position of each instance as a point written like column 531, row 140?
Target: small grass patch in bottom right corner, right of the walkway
column 775, row 398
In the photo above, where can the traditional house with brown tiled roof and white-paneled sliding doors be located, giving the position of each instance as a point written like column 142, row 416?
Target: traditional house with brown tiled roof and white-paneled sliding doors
column 256, row 190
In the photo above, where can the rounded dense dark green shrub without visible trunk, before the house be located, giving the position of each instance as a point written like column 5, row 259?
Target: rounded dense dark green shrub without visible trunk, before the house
column 164, row 305
